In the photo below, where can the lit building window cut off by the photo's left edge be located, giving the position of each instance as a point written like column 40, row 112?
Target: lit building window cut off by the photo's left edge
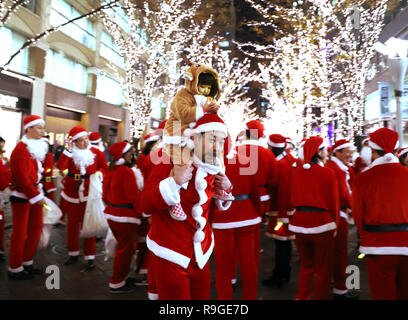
column 11, row 42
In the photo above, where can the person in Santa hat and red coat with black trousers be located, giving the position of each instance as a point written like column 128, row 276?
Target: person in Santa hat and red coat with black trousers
column 281, row 203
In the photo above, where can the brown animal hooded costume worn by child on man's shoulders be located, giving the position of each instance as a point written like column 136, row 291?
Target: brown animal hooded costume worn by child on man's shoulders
column 186, row 109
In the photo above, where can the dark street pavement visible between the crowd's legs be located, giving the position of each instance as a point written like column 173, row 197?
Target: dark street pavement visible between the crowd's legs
column 78, row 284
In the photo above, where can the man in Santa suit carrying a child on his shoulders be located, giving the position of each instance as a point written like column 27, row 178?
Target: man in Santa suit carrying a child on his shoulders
column 181, row 249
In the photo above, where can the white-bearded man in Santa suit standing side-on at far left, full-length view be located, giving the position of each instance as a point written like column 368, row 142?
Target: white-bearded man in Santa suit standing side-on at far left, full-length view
column 27, row 199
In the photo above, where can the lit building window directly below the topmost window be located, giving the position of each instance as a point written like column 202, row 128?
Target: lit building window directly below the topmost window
column 64, row 72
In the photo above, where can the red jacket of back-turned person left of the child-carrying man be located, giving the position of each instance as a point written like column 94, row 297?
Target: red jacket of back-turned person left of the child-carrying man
column 122, row 186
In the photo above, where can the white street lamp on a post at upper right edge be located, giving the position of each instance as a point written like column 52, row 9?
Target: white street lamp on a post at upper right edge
column 397, row 52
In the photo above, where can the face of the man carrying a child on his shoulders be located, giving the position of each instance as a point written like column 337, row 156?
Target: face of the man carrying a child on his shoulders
column 209, row 146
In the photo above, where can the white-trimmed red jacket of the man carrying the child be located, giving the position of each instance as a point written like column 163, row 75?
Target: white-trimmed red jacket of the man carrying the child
column 180, row 241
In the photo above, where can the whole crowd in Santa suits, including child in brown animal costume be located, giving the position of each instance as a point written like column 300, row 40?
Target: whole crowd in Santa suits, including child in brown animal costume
column 192, row 190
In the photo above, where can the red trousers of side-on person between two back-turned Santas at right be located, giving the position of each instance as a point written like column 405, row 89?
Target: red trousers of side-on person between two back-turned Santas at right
column 340, row 257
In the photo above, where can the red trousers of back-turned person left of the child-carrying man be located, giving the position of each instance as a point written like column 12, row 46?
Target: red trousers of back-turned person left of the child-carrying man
column 125, row 235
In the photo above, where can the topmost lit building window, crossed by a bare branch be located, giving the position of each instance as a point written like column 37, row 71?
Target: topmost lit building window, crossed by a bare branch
column 81, row 30
